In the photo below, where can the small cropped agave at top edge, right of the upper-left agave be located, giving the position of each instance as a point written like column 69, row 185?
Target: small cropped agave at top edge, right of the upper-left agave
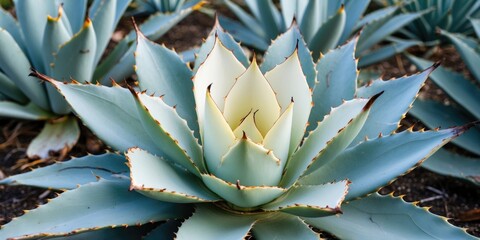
column 140, row 7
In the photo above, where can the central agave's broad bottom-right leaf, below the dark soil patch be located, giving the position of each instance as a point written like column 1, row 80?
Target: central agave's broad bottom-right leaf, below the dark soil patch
column 387, row 217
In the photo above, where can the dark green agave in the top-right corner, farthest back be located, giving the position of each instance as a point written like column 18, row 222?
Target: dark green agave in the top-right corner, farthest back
column 450, row 15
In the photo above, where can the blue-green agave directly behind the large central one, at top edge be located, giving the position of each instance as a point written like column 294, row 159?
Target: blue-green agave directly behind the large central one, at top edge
column 317, row 19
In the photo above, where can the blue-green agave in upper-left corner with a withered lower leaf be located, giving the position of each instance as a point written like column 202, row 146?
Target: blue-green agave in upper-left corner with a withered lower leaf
column 55, row 38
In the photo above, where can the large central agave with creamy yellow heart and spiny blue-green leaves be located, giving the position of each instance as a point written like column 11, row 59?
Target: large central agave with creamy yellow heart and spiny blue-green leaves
column 255, row 172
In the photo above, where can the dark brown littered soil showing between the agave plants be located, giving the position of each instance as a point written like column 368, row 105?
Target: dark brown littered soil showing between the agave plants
column 446, row 196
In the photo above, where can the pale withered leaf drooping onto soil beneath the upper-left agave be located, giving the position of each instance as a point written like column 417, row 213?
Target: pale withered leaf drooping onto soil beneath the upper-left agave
column 56, row 135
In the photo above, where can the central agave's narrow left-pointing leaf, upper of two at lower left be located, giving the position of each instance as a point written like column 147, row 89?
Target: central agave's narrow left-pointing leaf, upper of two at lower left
column 72, row 173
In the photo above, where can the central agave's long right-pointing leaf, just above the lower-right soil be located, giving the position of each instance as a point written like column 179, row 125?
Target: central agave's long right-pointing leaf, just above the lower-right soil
column 374, row 163
